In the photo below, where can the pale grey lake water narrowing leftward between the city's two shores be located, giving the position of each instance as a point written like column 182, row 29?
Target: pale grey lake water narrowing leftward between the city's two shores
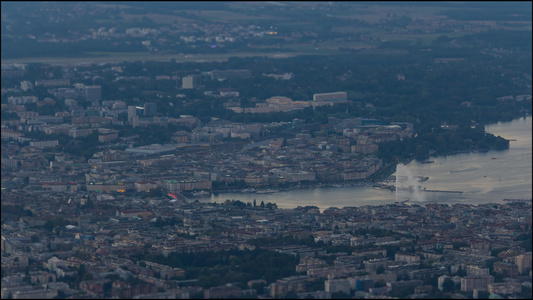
column 482, row 177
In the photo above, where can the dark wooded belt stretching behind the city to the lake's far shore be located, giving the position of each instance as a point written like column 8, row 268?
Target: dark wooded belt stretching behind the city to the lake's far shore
column 460, row 92
